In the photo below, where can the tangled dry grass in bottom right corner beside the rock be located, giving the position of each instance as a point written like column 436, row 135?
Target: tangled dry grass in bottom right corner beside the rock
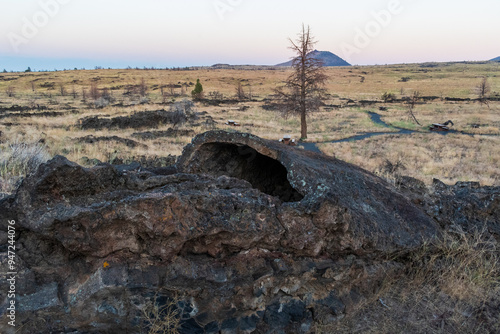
column 449, row 285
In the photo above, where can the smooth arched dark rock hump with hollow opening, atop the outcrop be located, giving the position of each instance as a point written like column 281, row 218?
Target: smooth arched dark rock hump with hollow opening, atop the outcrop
column 336, row 195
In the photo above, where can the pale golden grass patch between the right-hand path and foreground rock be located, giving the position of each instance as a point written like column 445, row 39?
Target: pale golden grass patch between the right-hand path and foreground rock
column 450, row 158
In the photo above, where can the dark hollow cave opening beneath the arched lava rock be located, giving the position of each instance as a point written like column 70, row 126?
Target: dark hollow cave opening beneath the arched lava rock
column 243, row 162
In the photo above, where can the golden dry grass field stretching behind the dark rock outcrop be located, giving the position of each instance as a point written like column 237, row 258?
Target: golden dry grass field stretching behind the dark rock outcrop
column 43, row 113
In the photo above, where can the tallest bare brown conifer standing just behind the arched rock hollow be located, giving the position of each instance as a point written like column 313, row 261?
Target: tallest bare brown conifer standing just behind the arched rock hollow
column 304, row 90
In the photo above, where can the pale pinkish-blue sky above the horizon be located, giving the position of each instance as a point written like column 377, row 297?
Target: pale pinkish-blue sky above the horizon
column 49, row 34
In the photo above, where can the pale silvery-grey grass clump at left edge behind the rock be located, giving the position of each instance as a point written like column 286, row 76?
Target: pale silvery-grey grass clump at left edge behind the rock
column 18, row 160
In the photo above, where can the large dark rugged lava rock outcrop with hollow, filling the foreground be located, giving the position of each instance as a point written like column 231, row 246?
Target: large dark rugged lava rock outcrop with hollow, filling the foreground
column 244, row 233
